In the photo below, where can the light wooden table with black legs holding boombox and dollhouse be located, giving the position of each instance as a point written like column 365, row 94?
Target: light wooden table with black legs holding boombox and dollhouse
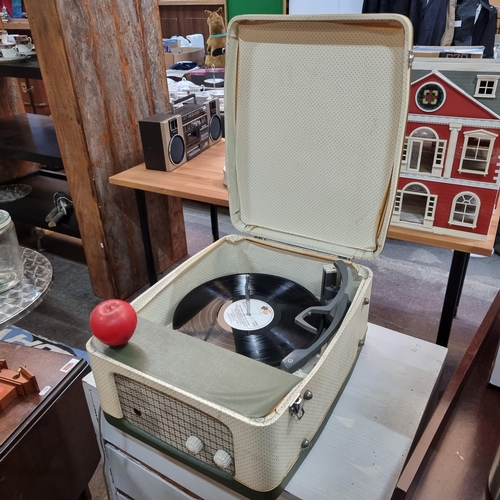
column 201, row 180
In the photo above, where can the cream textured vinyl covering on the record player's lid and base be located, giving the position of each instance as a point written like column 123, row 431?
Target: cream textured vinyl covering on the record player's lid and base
column 315, row 115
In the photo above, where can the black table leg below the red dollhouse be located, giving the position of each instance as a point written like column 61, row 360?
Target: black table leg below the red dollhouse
column 452, row 295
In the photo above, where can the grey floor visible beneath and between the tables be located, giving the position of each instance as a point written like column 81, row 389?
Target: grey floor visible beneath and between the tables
column 408, row 291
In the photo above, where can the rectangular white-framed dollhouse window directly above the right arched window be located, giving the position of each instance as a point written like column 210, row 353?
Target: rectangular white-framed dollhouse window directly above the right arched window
column 476, row 152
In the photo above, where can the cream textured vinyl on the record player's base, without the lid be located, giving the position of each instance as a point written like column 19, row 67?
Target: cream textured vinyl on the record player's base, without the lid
column 264, row 449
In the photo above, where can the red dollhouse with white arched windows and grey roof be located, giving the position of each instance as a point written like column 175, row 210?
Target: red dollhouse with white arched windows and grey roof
column 450, row 169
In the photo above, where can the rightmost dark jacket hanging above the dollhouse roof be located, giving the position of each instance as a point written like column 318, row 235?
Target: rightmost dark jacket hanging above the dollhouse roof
column 472, row 30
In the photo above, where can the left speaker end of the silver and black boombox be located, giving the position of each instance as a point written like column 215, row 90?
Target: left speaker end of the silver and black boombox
column 163, row 141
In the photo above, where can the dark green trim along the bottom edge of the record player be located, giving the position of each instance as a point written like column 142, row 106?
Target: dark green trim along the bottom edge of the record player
column 213, row 472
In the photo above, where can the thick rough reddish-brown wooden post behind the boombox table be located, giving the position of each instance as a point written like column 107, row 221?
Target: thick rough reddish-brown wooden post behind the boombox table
column 103, row 68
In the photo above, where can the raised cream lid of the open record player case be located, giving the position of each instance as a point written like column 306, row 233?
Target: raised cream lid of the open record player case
column 315, row 116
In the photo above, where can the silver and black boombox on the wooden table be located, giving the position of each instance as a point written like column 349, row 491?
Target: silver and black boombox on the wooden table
column 171, row 139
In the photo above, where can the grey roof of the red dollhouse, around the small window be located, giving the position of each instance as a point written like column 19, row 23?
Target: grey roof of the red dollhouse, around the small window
column 466, row 81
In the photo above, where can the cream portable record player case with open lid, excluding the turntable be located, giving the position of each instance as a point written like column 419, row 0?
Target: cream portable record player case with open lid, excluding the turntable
column 315, row 113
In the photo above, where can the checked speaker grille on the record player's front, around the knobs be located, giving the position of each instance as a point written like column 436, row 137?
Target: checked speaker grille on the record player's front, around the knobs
column 172, row 421
